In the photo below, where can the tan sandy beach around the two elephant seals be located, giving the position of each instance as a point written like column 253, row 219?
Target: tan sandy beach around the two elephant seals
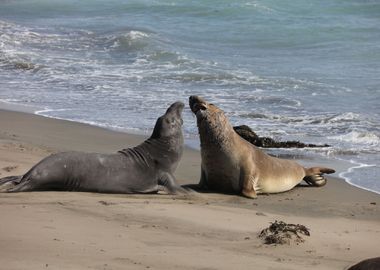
column 67, row 230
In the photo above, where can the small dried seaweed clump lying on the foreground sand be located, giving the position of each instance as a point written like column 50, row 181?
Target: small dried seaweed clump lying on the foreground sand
column 282, row 233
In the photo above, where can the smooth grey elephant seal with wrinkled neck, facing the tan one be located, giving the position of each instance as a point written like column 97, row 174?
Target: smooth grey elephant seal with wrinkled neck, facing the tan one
column 146, row 168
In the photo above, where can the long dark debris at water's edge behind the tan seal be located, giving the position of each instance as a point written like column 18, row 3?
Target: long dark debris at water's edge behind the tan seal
column 248, row 134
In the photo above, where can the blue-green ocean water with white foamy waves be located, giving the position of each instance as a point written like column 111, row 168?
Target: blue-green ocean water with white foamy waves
column 292, row 70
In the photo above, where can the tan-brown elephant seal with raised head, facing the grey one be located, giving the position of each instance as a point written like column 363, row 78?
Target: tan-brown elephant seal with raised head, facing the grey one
column 231, row 164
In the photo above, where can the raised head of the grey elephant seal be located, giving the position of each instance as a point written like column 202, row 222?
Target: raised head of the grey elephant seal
column 170, row 124
